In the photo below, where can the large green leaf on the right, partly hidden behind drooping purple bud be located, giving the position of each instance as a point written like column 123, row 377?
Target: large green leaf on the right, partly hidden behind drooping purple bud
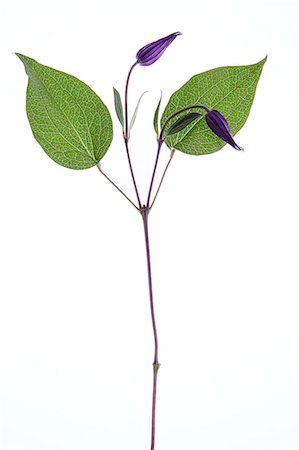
column 229, row 89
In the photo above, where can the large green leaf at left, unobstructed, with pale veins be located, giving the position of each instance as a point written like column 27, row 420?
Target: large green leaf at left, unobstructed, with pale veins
column 67, row 118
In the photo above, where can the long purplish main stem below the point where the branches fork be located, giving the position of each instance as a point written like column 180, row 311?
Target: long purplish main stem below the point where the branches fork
column 156, row 365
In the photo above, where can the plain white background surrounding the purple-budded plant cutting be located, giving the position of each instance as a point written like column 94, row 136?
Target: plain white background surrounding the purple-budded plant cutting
column 76, row 342
